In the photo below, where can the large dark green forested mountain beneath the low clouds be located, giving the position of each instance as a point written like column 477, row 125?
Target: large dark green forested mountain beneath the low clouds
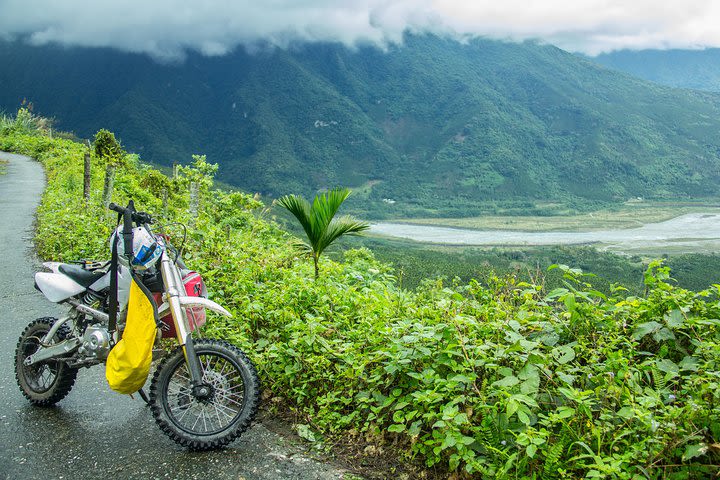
column 430, row 127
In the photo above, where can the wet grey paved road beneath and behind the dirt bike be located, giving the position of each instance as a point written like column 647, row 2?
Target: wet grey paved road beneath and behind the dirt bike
column 95, row 433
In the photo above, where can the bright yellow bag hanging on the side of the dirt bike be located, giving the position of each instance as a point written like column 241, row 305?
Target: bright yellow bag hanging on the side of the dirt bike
column 128, row 363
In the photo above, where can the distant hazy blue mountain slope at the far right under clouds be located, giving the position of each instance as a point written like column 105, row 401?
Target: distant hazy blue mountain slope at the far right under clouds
column 698, row 69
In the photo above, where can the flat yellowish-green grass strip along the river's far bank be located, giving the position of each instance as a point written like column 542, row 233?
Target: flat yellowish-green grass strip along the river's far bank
column 628, row 215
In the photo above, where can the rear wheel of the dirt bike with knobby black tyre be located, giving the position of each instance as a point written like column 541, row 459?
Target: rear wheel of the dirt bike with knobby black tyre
column 49, row 382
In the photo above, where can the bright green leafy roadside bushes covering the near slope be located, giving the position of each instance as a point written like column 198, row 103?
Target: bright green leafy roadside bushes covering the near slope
column 500, row 379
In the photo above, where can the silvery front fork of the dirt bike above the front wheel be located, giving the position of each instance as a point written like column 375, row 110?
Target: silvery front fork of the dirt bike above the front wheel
column 173, row 285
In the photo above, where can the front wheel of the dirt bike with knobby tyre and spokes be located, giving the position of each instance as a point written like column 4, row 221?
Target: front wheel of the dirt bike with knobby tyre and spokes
column 213, row 420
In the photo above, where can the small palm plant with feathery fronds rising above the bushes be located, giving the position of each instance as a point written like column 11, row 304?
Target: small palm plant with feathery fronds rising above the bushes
column 319, row 223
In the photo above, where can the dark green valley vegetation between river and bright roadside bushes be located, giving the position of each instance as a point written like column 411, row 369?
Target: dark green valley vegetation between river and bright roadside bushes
column 414, row 264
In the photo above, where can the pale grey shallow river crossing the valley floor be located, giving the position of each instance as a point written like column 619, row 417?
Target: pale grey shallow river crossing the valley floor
column 694, row 232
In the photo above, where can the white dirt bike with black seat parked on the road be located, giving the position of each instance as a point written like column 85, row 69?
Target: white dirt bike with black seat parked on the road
column 203, row 395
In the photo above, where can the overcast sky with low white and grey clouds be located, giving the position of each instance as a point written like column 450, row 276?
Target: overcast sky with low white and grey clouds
column 166, row 28
